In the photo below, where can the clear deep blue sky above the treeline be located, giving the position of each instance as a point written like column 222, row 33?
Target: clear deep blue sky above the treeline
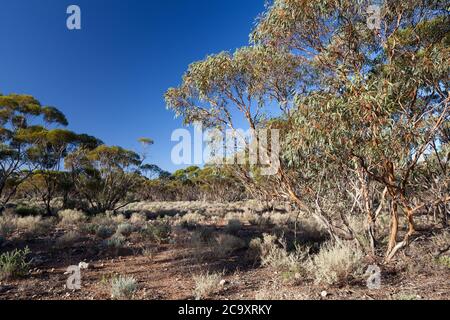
column 109, row 78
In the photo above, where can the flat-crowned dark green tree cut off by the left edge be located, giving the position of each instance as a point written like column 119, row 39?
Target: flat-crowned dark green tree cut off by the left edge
column 22, row 121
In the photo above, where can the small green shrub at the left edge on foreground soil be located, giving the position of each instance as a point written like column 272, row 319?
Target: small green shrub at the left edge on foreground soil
column 14, row 264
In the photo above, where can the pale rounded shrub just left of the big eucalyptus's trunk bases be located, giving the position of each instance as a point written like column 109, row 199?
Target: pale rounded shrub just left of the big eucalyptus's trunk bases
column 335, row 263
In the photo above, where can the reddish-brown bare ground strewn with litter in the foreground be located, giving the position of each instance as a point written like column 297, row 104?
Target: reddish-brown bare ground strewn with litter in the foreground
column 169, row 273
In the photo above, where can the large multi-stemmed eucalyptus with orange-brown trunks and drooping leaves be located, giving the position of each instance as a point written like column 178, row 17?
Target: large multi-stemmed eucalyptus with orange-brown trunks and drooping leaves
column 363, row 108
